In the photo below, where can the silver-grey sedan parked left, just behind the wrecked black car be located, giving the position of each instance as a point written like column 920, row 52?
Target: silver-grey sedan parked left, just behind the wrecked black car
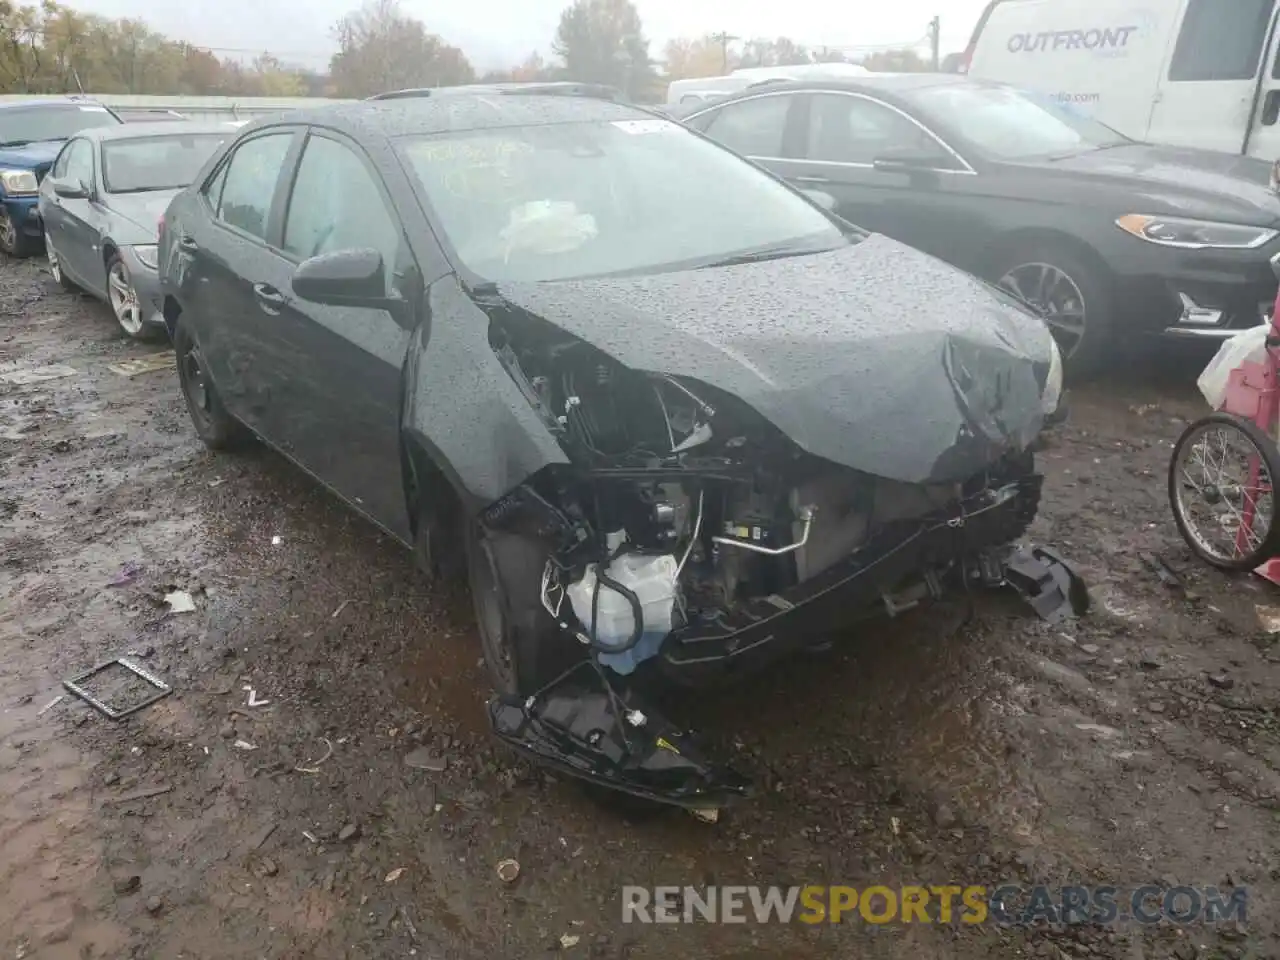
column 102, row 204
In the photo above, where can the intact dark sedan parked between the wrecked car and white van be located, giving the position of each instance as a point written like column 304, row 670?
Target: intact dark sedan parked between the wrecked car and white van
column 1107, row 237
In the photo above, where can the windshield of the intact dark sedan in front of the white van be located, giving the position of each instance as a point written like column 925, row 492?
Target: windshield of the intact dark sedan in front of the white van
column 1014, row 125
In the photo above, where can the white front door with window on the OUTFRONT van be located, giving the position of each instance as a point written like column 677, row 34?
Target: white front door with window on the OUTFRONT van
column 1210, row 90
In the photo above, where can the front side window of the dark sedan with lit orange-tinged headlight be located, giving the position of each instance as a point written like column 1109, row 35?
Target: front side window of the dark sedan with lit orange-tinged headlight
column 857, row 131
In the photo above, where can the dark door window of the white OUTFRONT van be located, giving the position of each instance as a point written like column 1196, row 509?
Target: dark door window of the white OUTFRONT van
column 1222, row 42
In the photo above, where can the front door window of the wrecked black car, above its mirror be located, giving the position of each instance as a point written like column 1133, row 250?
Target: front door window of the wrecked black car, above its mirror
column 336, row 205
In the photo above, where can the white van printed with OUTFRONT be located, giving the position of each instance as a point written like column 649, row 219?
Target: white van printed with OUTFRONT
column 1200, row 74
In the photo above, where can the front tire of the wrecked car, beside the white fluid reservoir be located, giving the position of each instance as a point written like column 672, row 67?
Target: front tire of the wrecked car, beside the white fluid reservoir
column 524, row 648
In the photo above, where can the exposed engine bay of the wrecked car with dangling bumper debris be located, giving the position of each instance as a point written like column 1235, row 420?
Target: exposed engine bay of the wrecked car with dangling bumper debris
column 687, row 529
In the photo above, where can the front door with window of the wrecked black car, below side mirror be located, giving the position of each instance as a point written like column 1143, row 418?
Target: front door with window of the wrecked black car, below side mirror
column 335, row 380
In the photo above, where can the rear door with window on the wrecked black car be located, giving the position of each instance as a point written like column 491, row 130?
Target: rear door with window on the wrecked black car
column 228, row 263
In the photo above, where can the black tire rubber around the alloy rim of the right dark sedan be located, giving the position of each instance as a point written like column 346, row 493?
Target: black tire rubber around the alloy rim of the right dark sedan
column 1091, row 350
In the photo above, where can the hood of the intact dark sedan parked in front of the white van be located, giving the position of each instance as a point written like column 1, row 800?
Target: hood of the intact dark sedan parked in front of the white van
column 1199, row 184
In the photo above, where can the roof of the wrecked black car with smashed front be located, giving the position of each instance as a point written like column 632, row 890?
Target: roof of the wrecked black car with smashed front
column 459, row 112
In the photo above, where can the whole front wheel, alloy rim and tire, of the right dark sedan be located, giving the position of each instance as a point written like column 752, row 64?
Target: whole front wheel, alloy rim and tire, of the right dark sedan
column 1072, row 296
